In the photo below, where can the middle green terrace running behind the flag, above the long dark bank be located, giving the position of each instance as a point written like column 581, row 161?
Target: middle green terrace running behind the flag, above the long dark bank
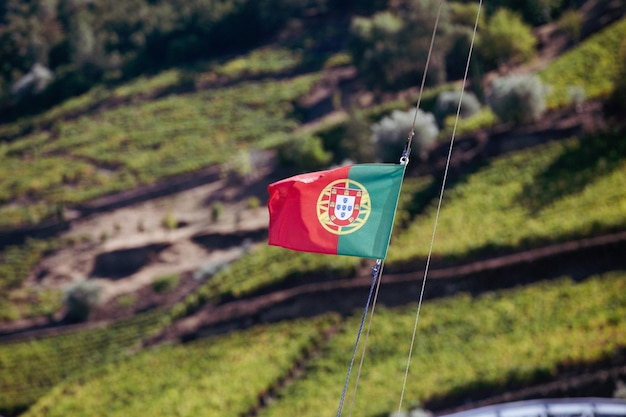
column 517, row 201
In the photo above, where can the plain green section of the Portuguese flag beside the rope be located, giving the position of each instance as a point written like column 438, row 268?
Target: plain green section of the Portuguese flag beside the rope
column 382, row 182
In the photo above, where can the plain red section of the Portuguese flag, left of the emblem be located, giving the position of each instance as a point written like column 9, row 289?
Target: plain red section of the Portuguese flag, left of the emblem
column 293, row 212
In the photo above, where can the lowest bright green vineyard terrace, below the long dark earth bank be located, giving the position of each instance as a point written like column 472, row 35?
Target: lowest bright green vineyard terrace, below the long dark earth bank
column 462, row 344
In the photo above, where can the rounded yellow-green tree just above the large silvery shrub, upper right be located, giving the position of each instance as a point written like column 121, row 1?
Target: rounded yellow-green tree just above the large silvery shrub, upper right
column 506, row 40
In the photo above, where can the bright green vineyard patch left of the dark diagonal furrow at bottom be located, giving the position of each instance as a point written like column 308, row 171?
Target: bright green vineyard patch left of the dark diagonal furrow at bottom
column 217, row 376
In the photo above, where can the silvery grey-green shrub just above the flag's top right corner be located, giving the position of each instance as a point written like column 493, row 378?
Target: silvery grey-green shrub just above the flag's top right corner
column 390, row 134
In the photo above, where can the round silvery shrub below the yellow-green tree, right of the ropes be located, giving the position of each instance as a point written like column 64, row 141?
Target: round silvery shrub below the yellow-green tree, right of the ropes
column 517, row 98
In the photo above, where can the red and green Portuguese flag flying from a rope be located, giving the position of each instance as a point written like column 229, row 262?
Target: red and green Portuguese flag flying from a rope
column 343, row 211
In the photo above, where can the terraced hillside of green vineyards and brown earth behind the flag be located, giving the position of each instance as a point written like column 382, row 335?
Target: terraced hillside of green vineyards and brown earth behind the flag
column 198, row 316
